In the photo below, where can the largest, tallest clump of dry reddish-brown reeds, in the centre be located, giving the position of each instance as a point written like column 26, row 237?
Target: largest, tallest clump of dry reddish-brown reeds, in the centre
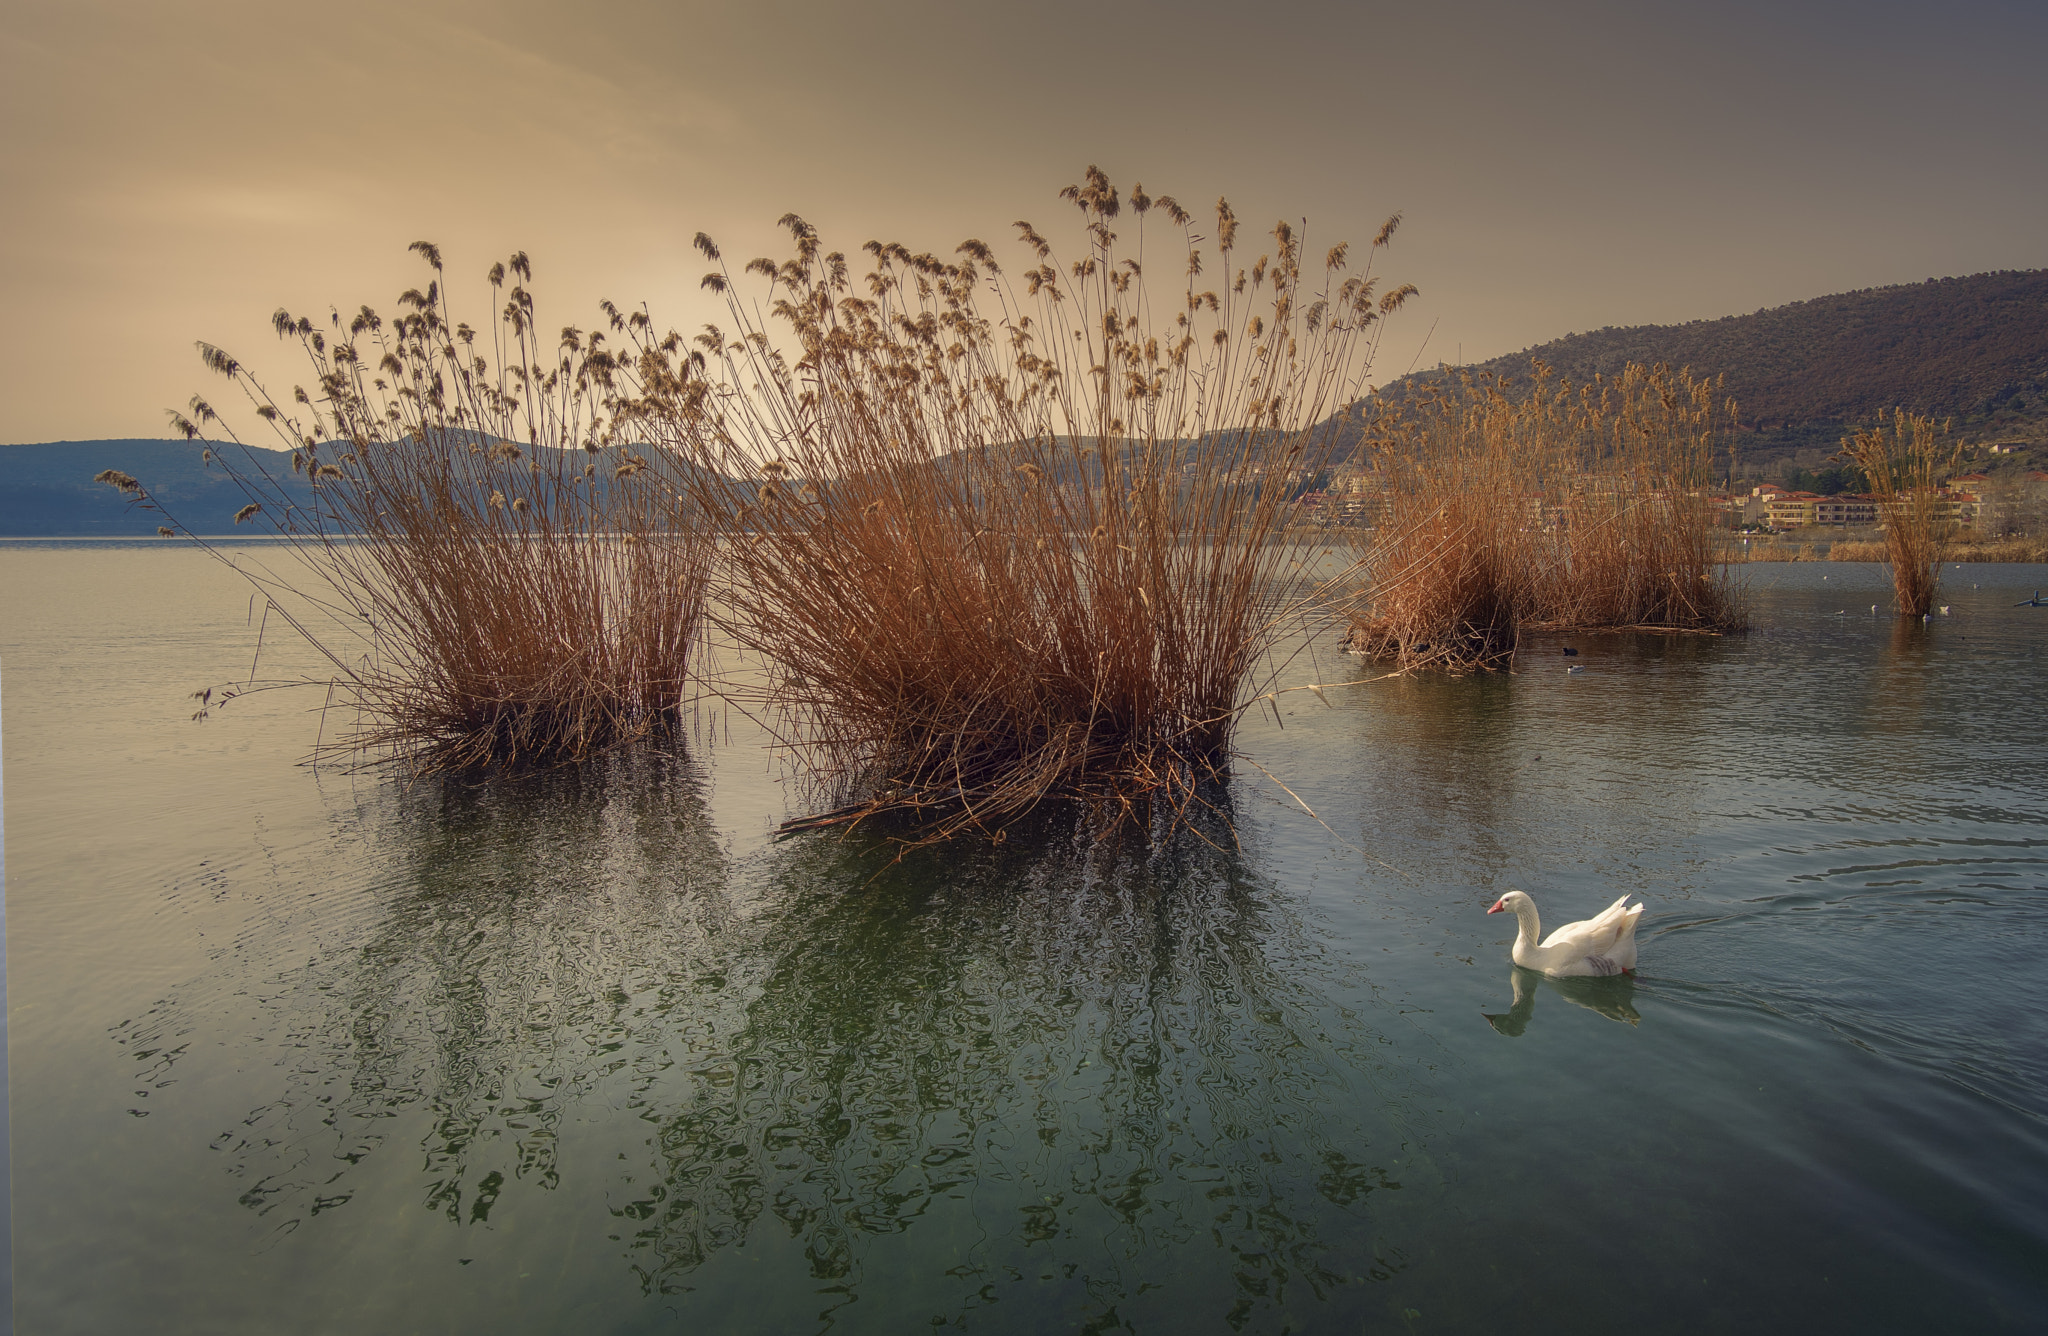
column 1019, row 534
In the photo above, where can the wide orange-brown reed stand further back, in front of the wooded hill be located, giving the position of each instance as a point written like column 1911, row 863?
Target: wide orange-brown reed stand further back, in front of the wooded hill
column 1545, row 505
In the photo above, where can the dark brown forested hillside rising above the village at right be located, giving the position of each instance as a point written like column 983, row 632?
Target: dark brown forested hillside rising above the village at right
column 1969, row 349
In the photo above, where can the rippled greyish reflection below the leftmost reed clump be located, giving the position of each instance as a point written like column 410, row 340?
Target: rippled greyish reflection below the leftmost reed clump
column 531, row 937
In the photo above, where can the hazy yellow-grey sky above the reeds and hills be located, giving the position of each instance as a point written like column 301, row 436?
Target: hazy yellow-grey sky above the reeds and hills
column 179, row 171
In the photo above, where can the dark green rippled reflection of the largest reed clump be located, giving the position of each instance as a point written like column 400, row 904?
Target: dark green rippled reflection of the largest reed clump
column 1076, row 1056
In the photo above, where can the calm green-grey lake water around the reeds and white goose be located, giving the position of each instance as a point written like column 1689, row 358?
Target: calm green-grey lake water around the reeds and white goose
column 593, row 1052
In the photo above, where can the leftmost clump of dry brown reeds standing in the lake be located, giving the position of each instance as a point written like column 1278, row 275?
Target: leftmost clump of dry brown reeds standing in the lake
column 486, row 558
